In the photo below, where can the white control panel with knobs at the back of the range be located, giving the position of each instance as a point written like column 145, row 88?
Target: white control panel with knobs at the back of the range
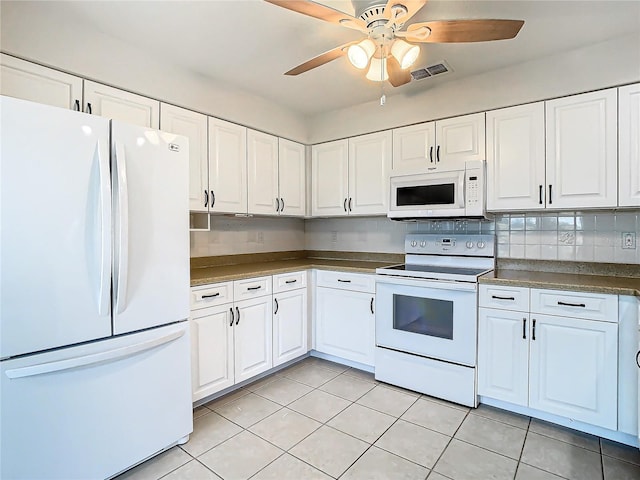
column 481, row 245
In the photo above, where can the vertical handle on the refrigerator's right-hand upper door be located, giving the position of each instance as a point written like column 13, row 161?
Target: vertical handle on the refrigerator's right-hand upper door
column 123, row 229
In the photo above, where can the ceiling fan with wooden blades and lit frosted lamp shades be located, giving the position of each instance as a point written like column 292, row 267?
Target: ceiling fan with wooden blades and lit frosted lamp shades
column 388, row 52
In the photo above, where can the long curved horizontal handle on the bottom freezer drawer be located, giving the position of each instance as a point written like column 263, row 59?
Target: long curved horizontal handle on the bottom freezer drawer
column 85, row 360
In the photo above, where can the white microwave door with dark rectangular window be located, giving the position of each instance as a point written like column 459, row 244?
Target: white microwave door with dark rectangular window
column 430, row 194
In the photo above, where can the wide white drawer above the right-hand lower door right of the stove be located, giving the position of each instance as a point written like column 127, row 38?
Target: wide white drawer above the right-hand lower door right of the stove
column 592, row 306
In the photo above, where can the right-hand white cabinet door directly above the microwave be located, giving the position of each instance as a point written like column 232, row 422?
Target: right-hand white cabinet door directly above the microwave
column 460, row 139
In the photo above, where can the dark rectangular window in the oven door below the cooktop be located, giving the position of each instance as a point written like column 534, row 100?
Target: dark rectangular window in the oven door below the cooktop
column 425, row 316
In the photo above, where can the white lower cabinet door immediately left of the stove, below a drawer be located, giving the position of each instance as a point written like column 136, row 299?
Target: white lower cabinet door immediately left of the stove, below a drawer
column 345, row 324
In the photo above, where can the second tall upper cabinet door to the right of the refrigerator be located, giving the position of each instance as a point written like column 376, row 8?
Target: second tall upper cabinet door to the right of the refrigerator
column 227, row 167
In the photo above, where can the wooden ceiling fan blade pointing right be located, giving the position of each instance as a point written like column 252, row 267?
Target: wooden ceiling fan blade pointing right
column 461, row 31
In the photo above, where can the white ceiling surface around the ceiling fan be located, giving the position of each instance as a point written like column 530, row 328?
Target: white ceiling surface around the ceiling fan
column 249, row 44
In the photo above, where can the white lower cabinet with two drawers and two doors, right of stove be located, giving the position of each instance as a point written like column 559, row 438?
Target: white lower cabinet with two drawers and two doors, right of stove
column 559, row 364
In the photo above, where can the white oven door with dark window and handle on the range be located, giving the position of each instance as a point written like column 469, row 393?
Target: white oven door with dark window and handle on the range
column 434, row 319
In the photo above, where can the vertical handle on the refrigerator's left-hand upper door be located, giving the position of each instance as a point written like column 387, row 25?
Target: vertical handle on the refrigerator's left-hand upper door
column 104, row 297
